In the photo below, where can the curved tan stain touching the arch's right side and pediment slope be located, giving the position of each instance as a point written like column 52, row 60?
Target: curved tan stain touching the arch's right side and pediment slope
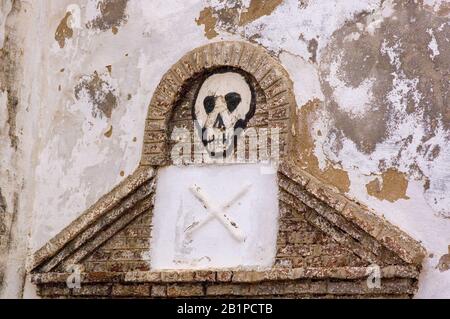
column 305, row 148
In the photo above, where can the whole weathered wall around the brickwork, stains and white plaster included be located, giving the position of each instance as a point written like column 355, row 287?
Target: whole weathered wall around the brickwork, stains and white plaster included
column 86, row 80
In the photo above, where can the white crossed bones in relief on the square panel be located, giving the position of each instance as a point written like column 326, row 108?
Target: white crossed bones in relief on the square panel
column 218, row 212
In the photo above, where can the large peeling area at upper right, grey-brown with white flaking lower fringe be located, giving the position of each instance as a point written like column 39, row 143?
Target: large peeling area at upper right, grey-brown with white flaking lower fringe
column 385, row 93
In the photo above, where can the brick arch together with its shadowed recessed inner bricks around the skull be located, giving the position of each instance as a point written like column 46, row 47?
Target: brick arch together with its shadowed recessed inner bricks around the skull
column 171, row 102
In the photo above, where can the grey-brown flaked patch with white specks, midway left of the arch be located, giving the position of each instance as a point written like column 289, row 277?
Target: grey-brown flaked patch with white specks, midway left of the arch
column 99, row 93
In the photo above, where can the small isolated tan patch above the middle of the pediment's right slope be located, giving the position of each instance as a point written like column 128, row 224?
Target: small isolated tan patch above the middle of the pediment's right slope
column 393, row 186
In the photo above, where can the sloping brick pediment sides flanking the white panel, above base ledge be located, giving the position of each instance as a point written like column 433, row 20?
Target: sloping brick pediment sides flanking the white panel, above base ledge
column 320, row 231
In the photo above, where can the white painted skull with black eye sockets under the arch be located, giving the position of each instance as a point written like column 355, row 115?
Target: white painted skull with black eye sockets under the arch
column 224, row 105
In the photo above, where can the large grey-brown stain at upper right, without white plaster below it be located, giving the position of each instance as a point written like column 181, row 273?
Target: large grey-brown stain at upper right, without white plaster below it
column 395, row 62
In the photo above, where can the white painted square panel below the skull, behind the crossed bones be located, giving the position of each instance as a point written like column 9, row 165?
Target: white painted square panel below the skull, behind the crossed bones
column 214, row 245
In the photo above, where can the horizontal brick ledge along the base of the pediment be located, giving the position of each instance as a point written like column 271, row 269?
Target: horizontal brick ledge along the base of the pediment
column 397, row 282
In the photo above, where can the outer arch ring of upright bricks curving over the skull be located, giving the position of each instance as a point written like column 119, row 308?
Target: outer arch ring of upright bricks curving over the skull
column 272, row 78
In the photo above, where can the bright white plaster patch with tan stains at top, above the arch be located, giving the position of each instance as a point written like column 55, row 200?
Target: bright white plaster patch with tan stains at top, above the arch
column 317, row 20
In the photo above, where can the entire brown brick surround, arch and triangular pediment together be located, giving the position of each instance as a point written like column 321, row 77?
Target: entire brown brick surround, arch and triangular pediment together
column 325, row 241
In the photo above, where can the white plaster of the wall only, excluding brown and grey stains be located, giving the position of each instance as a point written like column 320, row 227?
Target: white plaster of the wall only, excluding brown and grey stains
column 67, row 162
